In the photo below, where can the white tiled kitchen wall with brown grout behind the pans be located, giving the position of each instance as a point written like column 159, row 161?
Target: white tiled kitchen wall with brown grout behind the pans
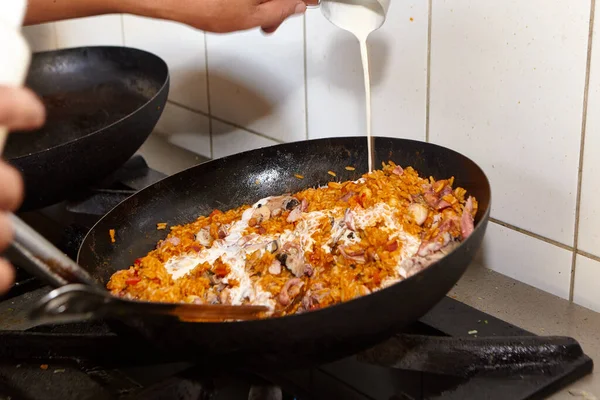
column 507, row 87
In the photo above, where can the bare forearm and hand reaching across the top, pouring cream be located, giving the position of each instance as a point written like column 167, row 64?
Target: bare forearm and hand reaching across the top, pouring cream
column 208, row 15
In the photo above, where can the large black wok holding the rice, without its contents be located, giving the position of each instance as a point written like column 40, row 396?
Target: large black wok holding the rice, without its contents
column 298, row 340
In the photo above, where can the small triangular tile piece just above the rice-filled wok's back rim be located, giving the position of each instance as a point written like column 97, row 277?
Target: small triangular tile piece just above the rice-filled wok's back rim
column 228, row 140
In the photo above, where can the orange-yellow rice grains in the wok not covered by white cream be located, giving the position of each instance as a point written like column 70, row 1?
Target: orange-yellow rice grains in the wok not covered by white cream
column 335, row 278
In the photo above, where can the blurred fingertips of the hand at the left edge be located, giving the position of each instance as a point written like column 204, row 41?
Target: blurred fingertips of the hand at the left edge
column 19, row 110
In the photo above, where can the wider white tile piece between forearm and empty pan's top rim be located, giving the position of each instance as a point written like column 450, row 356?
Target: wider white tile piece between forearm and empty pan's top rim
column 105, row 30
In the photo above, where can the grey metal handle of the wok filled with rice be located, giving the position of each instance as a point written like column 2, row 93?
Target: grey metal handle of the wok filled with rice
column 44, row 260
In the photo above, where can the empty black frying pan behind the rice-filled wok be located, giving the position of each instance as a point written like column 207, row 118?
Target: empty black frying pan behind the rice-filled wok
column 102, row 103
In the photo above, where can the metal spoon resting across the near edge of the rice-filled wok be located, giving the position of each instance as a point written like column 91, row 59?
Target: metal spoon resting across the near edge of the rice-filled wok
column 78, row 302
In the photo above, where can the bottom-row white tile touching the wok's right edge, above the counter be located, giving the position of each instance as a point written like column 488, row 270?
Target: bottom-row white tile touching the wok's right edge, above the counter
column 529, row 260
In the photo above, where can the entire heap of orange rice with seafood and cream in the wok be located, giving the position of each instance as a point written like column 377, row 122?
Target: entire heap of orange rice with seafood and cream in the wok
column 318, row 247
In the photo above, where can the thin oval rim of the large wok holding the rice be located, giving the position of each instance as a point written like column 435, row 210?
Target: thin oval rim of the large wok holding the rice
column 481, row 224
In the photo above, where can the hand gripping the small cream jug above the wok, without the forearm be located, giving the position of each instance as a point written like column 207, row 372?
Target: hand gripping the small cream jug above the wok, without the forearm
column 221, row 16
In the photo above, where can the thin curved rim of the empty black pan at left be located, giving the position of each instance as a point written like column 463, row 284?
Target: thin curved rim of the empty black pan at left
column 134, row 50
